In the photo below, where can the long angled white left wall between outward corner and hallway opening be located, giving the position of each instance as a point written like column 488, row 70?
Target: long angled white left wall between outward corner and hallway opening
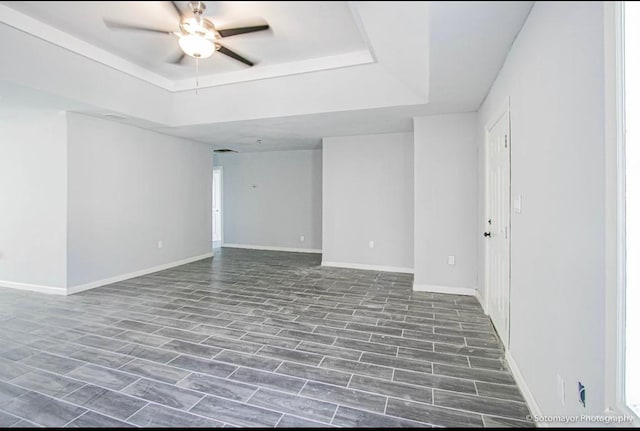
column 128, row 189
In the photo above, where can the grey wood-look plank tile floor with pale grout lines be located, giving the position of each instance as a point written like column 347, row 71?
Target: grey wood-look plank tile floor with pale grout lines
column 253, row 339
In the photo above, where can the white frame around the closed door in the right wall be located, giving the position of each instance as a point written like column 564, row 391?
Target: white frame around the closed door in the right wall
column 503, row 109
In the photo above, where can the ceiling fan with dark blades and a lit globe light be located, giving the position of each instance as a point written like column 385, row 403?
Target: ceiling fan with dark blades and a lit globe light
column 198, row 37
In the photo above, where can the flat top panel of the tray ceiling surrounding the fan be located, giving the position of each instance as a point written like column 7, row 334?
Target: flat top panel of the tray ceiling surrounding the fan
column 300, row 32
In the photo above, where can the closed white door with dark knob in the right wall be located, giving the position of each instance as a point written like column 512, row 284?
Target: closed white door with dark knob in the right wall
column 498, row 224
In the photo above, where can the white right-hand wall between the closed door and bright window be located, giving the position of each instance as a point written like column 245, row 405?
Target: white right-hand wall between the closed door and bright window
column 554, row 78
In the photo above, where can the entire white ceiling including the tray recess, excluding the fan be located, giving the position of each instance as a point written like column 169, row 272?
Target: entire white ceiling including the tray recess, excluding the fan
column 327, row 68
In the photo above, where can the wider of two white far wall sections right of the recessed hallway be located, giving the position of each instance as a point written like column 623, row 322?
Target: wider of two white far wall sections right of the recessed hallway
column 367, row 195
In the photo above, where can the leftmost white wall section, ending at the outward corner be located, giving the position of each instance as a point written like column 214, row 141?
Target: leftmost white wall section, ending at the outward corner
column 33, row 197
